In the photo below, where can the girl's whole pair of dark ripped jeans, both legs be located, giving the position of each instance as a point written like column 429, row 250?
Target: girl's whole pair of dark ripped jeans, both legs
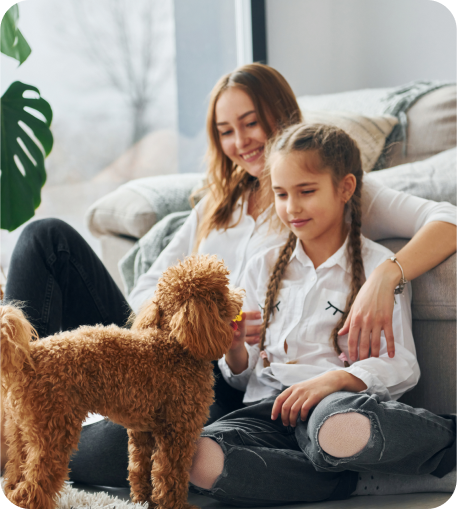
column 267, row 463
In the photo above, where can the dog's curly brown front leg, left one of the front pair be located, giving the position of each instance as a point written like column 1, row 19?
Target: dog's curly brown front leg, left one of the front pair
column 141, row 448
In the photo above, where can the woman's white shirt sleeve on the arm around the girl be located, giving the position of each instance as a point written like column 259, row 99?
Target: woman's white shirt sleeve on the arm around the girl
column 388, row 213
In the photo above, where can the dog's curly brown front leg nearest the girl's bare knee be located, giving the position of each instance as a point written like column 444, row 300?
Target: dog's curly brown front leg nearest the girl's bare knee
column 170, row 469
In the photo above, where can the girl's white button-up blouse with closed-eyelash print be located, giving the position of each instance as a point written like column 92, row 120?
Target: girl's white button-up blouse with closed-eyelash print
column 309, row 305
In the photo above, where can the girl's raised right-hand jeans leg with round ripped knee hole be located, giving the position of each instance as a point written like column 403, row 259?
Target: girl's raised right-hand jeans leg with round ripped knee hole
column 404, row 440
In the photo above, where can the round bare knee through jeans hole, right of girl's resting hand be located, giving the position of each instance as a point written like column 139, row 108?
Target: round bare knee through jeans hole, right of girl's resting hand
column 343, row 435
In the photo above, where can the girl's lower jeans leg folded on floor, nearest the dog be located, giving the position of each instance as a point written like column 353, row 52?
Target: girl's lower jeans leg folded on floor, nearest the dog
column 264, row 465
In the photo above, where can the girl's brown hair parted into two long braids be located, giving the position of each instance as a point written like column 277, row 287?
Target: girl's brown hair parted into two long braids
column 339, row 155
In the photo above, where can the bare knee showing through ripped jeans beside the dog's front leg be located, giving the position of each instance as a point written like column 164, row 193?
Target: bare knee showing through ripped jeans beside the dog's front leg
column 207, row 464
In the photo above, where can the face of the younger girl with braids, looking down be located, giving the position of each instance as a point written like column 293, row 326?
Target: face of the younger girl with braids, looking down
column 306, row 200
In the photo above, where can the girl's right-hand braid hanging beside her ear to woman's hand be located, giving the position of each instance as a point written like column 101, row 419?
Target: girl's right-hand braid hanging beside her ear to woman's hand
column 355, row 255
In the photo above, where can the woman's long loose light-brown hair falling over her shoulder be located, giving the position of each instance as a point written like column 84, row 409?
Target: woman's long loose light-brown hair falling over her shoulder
column 276, row 107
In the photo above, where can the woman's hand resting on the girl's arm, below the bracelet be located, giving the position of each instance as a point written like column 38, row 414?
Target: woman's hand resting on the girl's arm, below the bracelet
column 372, row 312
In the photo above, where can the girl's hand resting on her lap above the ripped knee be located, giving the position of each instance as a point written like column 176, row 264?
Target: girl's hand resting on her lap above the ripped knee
column 300, row 398
